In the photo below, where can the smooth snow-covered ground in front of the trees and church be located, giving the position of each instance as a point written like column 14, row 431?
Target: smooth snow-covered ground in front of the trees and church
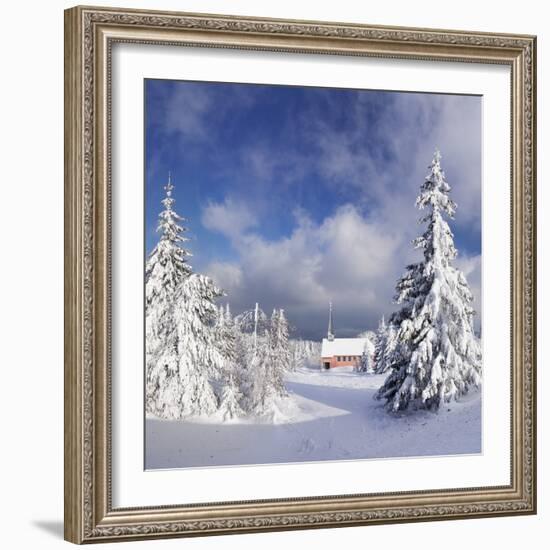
column 330, row 415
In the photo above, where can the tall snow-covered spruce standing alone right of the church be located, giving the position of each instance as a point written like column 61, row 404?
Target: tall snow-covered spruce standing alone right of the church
column 437, row 357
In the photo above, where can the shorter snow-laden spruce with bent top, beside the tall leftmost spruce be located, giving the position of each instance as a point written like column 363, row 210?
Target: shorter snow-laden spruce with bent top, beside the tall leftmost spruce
column 192, row 358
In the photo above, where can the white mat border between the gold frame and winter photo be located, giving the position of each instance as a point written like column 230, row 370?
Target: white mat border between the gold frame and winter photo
column 132, row 486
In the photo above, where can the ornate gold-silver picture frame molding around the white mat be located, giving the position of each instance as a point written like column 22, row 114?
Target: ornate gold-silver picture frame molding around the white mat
column 89, row 35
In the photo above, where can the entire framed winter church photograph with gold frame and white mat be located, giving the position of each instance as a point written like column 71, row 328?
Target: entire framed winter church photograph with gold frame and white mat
column 300, row 274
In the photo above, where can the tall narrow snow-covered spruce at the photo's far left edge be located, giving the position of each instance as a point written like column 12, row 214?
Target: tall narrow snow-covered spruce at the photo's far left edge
column 165, row 269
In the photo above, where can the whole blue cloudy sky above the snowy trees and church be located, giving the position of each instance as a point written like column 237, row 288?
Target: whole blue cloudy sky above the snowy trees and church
column 295, row 196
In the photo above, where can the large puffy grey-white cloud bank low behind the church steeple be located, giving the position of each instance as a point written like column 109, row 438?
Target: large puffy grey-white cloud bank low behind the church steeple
column 345, row 259
